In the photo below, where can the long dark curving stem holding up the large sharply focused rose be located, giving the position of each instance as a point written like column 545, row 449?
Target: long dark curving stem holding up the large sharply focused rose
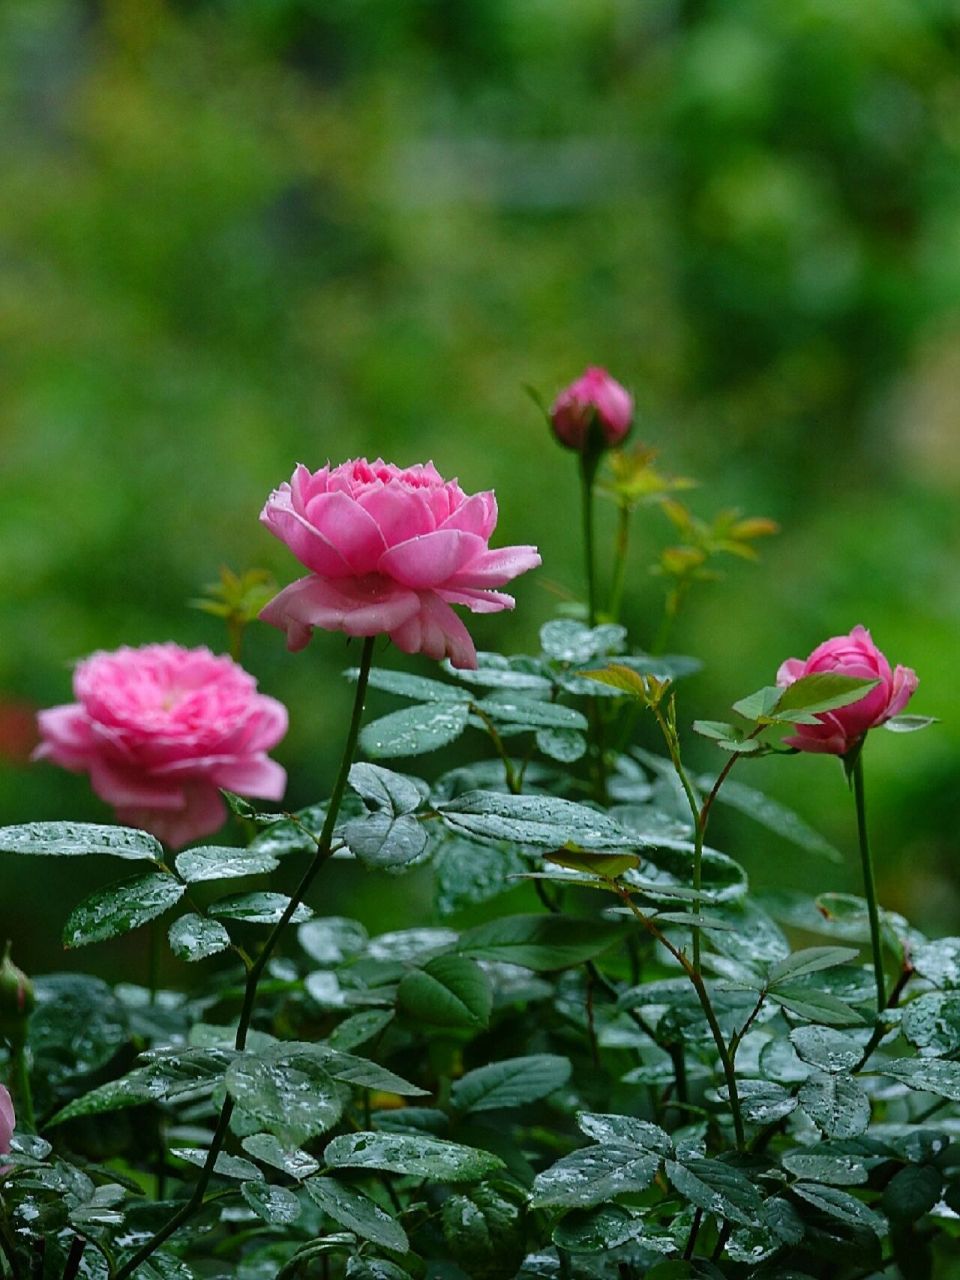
column 255, row 970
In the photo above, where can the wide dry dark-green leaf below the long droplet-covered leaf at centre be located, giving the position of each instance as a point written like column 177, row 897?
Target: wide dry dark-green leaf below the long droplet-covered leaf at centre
column 541, row 943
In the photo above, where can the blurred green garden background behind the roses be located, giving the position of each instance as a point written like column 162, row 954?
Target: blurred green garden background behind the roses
column 243, row 234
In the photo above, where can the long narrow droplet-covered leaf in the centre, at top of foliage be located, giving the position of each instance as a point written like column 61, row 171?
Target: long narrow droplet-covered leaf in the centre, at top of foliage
column 534, row 821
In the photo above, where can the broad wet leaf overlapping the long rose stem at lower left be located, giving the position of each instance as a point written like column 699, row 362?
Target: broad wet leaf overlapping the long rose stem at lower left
column 289, row 1090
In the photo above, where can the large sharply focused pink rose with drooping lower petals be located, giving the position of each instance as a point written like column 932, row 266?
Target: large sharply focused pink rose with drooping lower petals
column 390, row 550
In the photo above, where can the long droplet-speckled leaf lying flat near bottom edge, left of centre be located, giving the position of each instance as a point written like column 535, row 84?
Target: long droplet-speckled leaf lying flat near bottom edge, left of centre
column 419, row 1156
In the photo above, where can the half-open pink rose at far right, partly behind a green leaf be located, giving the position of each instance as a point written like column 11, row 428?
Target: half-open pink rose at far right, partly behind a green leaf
column 839, row 732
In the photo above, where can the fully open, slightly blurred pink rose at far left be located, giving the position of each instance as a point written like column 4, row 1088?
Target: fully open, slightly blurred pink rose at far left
column 159, row 730
